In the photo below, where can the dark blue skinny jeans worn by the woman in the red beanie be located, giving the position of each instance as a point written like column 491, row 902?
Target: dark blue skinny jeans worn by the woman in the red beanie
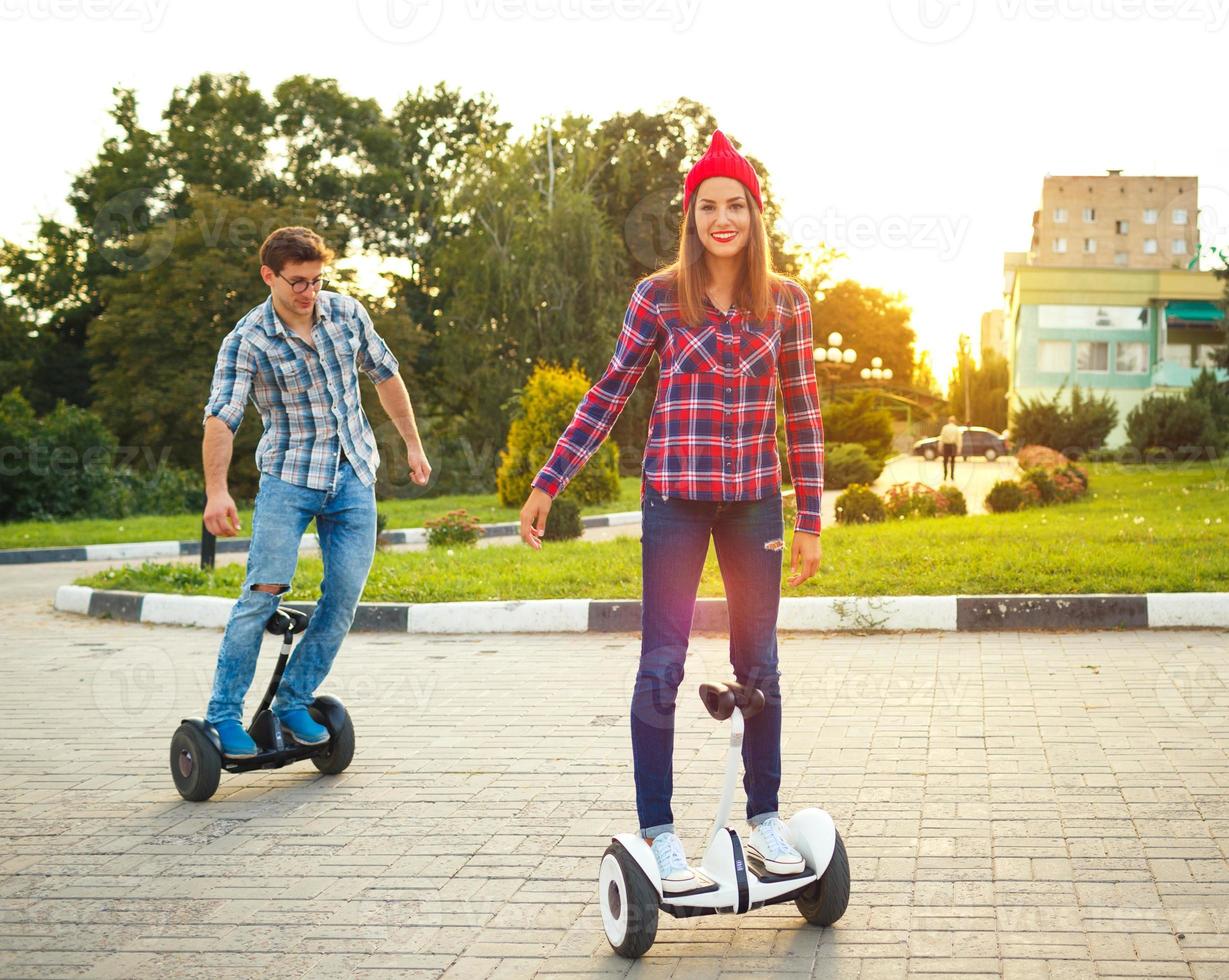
column 749, row 539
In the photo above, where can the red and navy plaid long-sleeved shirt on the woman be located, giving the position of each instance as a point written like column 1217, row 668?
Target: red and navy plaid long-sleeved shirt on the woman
column 713, row 432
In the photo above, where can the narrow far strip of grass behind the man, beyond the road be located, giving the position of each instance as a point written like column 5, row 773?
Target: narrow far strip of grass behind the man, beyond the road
column 409, row 513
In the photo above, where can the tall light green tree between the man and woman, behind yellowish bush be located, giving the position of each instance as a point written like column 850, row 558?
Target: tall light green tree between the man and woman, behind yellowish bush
column 540, row 271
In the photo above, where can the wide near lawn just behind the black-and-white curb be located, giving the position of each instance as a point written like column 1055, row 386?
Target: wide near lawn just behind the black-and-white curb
column 1142, row 529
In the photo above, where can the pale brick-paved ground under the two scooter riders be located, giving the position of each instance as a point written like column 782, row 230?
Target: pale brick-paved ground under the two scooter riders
column 1021, row 806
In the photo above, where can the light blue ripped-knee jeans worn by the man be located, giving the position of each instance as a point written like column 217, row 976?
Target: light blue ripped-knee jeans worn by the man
column 346, row 523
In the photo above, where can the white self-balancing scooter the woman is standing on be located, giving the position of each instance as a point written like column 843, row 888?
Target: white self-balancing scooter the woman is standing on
column 630, row 887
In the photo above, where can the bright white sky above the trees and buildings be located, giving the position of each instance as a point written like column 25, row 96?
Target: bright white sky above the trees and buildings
column 911, row 135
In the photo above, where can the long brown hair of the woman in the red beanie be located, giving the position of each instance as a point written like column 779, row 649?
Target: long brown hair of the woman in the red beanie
column 689, row 272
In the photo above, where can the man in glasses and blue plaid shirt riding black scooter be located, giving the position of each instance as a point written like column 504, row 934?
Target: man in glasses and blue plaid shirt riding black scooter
column 298, row 356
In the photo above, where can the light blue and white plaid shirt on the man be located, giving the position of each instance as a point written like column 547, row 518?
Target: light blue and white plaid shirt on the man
column 308, row 399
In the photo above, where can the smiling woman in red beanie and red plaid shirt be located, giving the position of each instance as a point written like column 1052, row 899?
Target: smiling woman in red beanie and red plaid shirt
column 727, row 330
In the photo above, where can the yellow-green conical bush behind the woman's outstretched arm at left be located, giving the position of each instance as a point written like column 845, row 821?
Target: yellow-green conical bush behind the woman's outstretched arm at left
column 546, row 406
